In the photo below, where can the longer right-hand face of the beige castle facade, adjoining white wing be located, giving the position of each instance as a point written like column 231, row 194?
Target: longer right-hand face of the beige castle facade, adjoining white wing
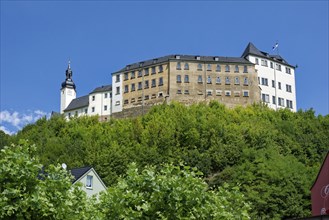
column 207, row 89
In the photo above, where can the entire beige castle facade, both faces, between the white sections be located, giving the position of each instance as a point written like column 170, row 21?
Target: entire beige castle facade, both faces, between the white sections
column 242, row 88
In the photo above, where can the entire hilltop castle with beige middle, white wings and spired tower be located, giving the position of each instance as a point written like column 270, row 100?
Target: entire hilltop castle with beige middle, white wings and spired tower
column 234, row 81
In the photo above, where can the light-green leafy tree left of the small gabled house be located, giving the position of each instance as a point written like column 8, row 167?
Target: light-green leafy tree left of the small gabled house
column 28, row 193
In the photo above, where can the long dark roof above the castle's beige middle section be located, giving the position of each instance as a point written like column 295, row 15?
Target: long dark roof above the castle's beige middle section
column 163, row 59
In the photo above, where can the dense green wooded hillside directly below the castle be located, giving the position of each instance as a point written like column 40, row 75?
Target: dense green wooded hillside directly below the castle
column 273, row 155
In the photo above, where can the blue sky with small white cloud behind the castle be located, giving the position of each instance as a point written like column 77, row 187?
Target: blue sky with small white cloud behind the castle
column 100, row 37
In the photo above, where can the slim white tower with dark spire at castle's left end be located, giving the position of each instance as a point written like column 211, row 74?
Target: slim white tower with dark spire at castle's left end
column 68, row 92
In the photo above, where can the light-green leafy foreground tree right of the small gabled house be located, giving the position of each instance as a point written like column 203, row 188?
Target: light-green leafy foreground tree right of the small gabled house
column 172, row 193
